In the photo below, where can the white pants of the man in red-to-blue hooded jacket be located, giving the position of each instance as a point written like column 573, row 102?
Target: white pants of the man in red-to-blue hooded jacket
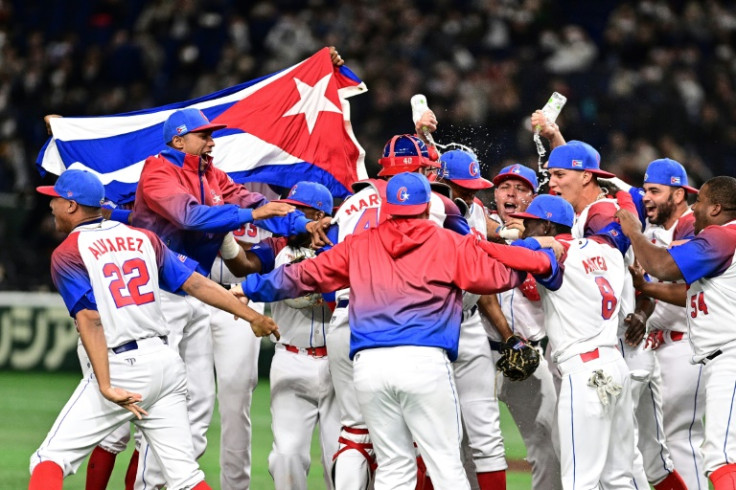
column 408, row 394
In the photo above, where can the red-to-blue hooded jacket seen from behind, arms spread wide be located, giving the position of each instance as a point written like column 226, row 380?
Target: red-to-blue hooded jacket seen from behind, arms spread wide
column 406, row 278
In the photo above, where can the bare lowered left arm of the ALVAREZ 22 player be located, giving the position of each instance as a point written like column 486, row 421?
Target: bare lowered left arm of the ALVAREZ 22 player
column 93, row 339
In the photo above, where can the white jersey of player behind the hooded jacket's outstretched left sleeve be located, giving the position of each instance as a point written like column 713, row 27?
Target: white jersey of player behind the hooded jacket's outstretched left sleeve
column 303, row 327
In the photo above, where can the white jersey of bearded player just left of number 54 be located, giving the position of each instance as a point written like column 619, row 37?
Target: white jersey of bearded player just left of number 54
column 667, row 316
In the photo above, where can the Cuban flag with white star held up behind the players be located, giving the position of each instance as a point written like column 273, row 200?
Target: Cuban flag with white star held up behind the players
column 283, row 128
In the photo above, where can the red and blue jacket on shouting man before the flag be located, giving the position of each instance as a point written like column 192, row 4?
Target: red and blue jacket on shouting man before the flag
column 192, row 209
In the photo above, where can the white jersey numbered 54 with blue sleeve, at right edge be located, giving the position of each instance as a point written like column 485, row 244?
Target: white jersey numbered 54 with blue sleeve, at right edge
column 708, row 266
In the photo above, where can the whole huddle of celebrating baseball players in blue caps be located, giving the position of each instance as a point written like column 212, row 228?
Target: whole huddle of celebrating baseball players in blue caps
column 604, row 306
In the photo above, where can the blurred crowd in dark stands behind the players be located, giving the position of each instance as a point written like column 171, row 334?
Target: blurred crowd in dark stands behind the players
column 644, row 79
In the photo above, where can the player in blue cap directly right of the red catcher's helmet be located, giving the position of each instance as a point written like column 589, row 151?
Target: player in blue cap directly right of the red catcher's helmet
column 476, row 390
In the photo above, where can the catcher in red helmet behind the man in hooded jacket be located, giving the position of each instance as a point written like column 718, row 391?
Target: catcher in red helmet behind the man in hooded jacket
column 355, row 460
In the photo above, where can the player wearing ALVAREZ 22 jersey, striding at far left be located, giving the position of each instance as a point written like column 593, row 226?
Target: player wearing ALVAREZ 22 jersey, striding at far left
column 109, row 276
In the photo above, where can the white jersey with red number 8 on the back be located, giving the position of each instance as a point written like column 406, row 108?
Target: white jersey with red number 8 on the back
column 583, row 313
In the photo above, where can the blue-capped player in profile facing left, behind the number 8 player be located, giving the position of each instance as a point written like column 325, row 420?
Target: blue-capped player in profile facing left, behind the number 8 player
column 574, row 169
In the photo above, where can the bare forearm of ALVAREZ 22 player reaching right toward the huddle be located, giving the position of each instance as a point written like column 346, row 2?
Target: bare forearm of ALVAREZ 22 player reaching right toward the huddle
column 211, row 293
